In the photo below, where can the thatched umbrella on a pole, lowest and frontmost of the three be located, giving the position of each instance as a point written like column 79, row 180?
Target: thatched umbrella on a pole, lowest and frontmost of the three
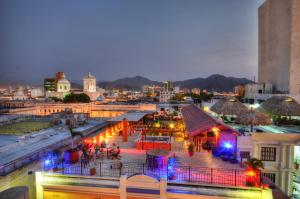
column 253, row 118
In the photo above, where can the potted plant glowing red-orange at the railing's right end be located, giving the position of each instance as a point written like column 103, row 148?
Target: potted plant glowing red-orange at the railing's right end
column 253, row 166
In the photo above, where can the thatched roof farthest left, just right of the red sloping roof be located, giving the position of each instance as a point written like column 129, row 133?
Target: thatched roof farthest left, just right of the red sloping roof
column 229, row 106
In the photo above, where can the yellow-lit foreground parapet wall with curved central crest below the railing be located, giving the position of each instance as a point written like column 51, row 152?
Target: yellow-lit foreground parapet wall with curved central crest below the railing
column 139, row 186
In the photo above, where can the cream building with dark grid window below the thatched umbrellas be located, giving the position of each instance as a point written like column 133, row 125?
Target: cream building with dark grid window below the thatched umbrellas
column 279, row 152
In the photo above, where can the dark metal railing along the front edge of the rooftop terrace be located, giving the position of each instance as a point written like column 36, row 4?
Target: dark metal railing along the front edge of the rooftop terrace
column 178, row 173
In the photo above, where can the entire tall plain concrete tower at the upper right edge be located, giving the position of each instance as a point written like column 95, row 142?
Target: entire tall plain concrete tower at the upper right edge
column 279, row 45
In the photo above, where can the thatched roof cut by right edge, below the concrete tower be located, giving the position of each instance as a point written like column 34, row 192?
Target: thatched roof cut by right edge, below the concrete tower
column 280, row 105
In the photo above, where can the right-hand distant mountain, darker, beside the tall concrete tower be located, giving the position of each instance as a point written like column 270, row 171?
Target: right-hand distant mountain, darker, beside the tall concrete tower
column 213, row 83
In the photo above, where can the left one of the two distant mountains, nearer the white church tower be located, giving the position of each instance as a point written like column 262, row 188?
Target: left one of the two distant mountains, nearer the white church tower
column 128, row 83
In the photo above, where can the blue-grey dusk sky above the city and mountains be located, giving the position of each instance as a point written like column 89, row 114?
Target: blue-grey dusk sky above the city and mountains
column 158, row 39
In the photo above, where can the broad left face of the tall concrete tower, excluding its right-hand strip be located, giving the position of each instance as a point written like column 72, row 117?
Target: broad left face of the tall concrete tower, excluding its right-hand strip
column 274, row 43
